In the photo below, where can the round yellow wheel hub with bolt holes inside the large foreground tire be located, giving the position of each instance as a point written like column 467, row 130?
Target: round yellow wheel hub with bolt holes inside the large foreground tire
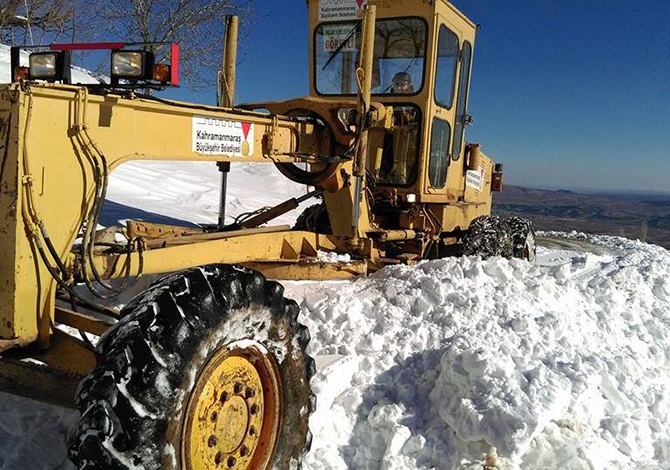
column 232, row 419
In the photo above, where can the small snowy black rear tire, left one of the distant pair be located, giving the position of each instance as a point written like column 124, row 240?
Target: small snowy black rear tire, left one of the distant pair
column 487, row 236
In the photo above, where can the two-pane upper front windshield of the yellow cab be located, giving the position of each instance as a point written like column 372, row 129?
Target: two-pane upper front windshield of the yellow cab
column 398, row 59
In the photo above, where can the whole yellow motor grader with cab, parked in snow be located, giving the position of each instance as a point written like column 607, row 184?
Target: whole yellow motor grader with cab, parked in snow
column 207, row 368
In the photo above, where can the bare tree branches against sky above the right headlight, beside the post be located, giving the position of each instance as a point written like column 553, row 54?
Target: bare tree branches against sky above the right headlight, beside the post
column 197, row 25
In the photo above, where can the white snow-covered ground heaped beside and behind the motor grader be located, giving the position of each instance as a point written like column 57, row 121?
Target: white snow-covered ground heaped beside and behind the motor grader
column 455, row 363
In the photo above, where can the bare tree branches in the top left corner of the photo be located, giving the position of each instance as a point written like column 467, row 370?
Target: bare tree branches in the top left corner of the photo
column 25, row 22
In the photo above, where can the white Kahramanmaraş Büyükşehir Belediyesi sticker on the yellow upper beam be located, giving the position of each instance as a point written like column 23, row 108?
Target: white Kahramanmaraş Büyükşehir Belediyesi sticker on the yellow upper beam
column 222, row 137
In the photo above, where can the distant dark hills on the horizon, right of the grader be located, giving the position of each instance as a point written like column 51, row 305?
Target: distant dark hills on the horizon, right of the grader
column 637, row 216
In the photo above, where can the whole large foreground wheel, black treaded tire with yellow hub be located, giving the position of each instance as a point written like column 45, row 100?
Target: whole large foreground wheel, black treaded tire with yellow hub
column 135, row 403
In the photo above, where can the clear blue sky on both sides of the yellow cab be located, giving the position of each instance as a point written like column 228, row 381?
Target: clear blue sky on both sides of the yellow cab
column 567, row 94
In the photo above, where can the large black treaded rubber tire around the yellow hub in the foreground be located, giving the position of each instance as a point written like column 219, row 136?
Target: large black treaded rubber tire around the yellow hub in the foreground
column 147, row 362
